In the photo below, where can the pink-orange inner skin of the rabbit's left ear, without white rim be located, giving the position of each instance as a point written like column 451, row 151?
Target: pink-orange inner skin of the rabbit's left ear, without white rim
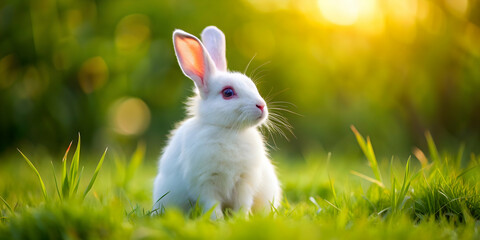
column 190, row 54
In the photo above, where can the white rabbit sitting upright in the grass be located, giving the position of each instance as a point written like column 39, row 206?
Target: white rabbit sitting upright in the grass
column 217, row 155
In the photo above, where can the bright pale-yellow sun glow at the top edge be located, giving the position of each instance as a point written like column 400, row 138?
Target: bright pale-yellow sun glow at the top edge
column 340, row 12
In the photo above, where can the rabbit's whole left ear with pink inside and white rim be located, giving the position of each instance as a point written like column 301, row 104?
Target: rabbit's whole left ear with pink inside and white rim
column 193, row 59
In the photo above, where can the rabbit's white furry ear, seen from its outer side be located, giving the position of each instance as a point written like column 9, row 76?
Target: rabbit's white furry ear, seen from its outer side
column 214, row 41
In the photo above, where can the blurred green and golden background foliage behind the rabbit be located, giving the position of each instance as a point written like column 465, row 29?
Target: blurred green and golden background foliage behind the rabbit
column 107, row 69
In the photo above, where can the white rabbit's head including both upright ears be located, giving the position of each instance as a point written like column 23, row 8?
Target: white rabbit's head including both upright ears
column 226, row 99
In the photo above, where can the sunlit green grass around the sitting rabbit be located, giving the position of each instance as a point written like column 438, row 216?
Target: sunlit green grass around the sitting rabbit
column 326, row 197
